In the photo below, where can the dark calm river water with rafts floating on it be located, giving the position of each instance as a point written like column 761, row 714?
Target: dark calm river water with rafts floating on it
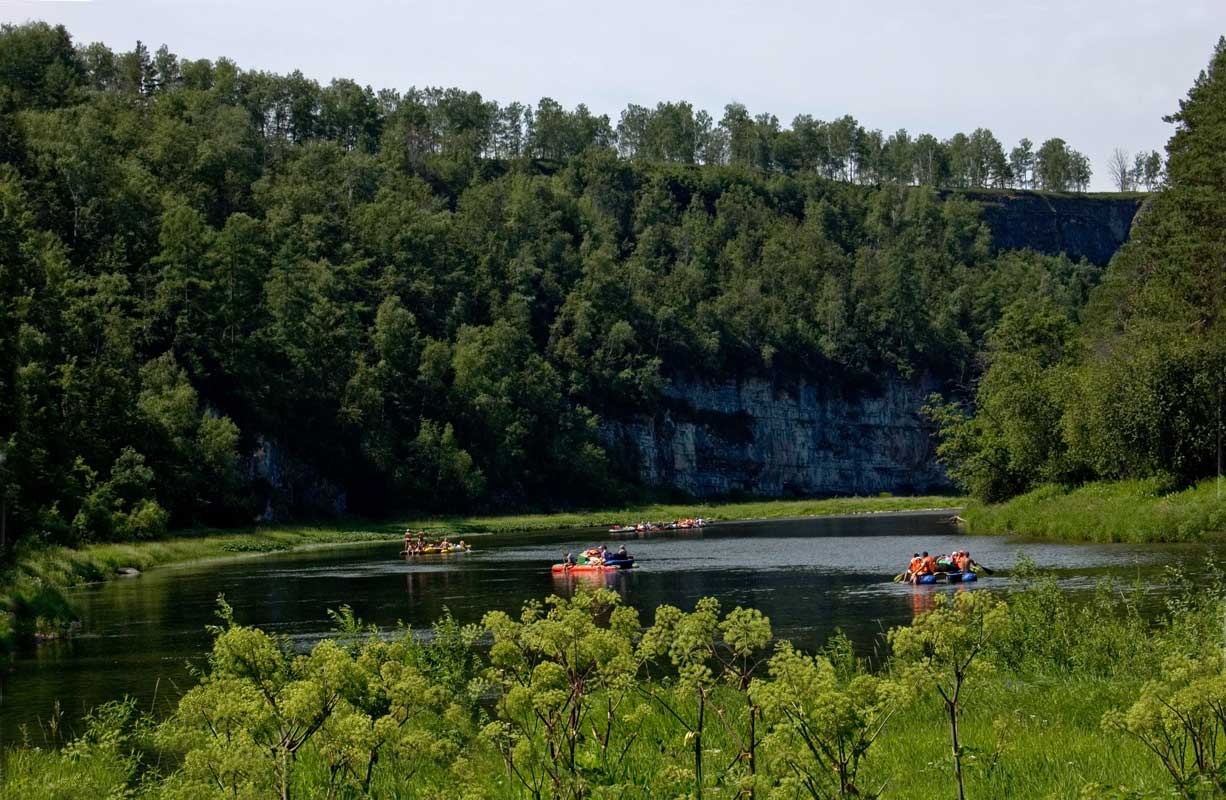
column 810, row 576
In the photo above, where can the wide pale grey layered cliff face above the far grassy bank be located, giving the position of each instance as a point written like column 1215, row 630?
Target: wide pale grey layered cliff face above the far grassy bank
column 772, row 438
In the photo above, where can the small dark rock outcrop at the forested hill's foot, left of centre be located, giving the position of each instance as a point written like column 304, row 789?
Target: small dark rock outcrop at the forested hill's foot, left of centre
column 290, row 488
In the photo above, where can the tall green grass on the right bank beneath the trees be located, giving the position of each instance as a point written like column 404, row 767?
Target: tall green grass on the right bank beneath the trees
column 1116, row 511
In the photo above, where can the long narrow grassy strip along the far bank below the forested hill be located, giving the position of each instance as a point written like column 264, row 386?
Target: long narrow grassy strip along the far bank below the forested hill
column 32, row 590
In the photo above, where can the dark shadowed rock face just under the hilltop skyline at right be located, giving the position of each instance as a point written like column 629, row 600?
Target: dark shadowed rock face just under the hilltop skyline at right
column 1081, row 227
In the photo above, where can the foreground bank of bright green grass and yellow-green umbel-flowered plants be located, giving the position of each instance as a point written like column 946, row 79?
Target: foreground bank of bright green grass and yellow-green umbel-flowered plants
column 1021, row 695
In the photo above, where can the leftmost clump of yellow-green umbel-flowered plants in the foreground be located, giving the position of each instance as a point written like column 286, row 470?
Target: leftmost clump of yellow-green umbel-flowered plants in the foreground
column 245, row 726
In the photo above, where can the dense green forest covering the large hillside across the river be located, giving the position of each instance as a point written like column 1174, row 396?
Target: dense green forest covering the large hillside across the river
column 432, row 300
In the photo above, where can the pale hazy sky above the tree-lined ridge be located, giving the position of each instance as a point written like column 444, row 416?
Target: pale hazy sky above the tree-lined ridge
column 1098, row 74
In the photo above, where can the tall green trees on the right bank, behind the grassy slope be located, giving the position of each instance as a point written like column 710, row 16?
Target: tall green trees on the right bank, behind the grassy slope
column 1133, row 390
